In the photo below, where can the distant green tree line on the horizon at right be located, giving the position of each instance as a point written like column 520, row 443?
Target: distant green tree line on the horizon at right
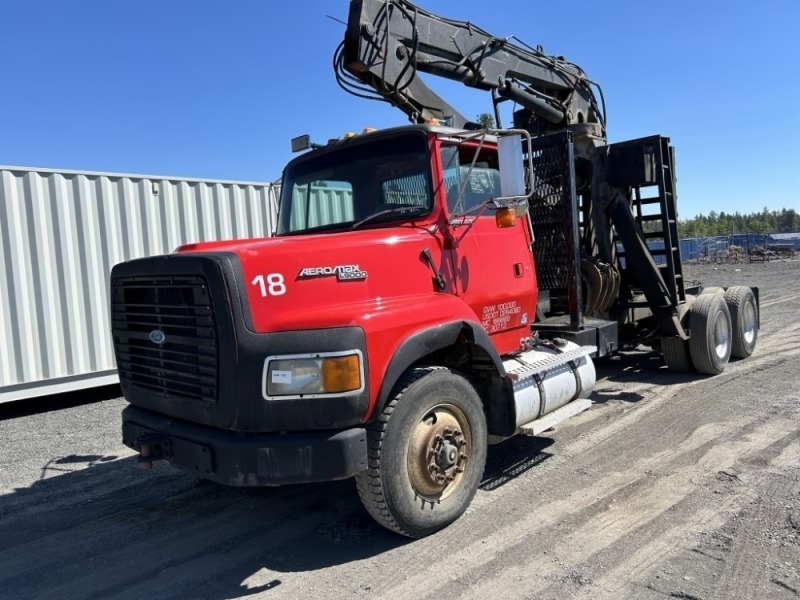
column 786, row 220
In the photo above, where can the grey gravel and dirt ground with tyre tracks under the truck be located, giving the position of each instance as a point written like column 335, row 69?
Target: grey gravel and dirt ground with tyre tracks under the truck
column 670, row 486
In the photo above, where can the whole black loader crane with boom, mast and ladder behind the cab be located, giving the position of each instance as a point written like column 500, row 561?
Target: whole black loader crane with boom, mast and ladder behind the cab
column 388, row 43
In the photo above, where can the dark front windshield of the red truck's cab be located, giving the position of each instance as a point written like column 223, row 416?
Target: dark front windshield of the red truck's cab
column 346, row 187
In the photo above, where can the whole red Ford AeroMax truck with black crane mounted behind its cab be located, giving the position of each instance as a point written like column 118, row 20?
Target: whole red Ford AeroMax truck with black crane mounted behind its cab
column 429, row 289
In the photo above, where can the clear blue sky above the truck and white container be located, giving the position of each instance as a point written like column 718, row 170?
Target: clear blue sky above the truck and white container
column 218, row 89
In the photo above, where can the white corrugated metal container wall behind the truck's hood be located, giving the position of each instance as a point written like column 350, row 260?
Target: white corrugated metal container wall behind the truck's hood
column 60, row 234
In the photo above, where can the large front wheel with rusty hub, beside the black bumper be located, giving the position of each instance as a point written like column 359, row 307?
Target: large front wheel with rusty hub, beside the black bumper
column 427, row 452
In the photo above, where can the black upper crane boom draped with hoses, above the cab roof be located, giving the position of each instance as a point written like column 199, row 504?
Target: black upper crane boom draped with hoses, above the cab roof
column 388, row 42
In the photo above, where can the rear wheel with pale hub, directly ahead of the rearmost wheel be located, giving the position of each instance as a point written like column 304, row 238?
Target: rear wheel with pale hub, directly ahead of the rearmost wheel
column 710, row 329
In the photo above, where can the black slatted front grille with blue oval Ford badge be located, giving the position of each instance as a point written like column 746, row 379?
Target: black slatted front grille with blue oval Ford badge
column 183, row 364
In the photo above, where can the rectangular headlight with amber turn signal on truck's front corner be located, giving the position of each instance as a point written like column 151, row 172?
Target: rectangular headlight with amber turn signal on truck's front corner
column 311, row 375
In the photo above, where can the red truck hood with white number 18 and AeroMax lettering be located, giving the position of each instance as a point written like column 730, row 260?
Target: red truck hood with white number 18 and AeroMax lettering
column 335, row 279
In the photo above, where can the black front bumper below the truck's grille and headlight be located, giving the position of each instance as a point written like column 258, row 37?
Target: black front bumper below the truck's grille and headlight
column 245, row 460
